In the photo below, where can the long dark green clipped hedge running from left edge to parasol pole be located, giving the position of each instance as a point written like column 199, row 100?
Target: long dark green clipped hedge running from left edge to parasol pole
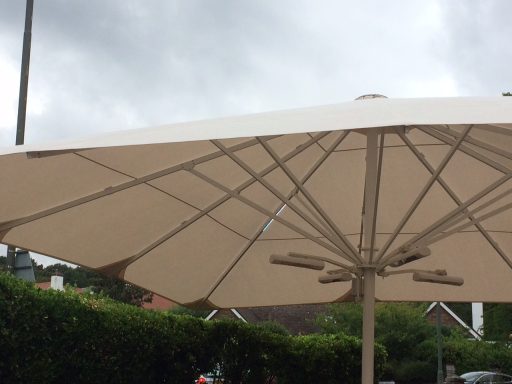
column 50, row 336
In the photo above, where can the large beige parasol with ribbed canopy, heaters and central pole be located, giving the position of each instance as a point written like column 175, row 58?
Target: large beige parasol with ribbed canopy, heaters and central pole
column 382, row 195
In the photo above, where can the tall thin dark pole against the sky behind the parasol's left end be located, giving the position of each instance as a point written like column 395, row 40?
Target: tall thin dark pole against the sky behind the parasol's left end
column 22, row 103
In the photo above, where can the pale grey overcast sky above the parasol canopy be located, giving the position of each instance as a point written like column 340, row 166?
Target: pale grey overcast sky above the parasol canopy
column 101, row 65
